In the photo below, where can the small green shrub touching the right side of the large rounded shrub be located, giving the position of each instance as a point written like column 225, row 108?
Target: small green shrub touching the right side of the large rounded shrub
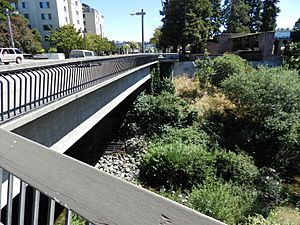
column 238, row 168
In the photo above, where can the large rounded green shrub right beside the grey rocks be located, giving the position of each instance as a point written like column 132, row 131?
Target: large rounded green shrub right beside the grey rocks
column 176, row 165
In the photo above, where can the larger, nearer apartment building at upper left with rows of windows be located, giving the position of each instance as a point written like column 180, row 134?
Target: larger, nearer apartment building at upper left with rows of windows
column 50, row 14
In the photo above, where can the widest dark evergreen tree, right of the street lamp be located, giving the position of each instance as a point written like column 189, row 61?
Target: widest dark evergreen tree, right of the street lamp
column 188, row 22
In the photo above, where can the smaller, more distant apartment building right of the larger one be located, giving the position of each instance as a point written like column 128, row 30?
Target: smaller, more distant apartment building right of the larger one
column 93, row 20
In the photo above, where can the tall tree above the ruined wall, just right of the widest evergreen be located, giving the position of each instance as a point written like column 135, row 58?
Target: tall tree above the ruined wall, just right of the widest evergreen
column 236, row 18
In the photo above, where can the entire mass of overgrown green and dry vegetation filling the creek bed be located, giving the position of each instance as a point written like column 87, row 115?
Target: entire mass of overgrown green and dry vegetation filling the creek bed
column 223, row 150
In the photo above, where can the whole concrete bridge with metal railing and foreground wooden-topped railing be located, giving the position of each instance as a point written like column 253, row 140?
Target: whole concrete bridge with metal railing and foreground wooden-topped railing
column 45, row 109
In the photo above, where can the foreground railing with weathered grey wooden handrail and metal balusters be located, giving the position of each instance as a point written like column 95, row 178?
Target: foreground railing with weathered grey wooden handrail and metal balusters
column 95, row 195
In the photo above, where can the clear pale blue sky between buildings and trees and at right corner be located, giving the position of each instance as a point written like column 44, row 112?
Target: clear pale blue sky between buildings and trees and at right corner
column 120, row 26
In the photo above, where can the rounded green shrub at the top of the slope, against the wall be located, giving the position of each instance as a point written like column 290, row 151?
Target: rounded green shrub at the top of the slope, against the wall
column 227, row 65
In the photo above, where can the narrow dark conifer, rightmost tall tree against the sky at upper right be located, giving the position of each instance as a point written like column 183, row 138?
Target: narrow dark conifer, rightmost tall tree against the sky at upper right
column 269, row 15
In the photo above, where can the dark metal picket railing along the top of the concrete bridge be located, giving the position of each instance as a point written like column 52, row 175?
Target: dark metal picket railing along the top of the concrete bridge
column 24, row 89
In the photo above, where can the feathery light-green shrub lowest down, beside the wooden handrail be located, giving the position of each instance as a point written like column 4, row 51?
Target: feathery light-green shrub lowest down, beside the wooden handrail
column 222, row 201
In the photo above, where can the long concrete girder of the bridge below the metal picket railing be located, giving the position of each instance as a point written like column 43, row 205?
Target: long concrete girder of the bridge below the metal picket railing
column 60, row 124
